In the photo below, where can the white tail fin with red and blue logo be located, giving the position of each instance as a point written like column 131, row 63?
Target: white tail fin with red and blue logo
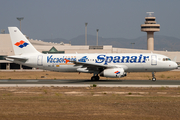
column 20, row 43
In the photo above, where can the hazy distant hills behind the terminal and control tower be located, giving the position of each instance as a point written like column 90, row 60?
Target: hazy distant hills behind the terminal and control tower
column 160, row 43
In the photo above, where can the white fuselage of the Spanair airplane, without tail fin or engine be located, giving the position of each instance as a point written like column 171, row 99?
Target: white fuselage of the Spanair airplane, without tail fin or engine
column 130, row 62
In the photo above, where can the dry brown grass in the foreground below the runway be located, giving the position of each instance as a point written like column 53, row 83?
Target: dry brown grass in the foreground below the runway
column 33, row 103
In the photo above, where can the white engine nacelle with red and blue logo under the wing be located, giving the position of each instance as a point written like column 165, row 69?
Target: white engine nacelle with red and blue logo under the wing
column 113, row 73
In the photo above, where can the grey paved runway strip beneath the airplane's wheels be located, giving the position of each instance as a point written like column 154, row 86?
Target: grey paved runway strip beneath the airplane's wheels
column 87, row 83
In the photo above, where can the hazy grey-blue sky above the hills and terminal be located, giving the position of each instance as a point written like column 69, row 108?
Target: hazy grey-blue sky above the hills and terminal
column 50, row 19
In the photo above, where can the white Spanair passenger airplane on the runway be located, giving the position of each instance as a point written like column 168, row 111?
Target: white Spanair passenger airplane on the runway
column 112, row 65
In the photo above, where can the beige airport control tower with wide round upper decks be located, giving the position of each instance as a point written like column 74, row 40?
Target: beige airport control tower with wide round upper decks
column 150, row 27
